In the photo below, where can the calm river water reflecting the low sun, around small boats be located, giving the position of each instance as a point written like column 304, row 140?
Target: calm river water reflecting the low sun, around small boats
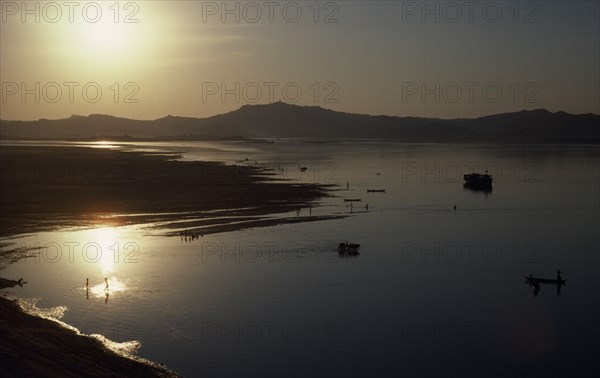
column 434, row 292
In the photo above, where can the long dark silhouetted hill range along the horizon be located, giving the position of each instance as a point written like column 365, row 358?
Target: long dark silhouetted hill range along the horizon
column 292, row 121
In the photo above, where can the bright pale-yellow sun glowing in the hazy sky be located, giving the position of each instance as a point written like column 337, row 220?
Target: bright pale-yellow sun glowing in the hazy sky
column 113, row 45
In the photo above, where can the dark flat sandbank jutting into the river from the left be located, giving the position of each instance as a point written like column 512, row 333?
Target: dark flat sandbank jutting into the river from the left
column 46, row 188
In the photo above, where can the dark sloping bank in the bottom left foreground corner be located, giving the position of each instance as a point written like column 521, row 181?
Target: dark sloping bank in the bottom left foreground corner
column 34, row 346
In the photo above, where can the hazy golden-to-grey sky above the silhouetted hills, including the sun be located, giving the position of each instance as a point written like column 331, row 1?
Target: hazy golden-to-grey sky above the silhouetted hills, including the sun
column 148, row 59
